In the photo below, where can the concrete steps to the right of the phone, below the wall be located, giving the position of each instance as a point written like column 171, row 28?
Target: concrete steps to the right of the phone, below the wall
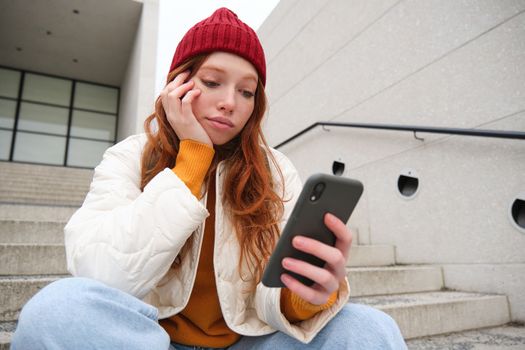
column 417, row 299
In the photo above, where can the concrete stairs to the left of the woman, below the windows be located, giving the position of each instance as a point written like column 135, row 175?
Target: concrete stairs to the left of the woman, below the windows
column 36, row 201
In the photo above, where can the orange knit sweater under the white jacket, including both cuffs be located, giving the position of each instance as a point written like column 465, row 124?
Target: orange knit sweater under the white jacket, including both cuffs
column 201, row 322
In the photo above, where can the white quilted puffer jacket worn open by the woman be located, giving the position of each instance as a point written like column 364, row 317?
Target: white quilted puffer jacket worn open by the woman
column 128, row 239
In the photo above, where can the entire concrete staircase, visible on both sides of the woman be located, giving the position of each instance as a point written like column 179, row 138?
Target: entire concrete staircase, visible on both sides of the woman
column 36, row 202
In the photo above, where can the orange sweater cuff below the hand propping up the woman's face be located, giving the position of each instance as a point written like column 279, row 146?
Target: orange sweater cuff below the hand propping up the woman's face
column 192, row 164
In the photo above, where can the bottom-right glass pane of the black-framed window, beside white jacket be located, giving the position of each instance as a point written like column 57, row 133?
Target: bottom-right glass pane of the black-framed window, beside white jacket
column 86, row 153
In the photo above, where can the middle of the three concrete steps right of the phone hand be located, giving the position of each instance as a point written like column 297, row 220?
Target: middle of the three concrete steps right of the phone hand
column 368, row 281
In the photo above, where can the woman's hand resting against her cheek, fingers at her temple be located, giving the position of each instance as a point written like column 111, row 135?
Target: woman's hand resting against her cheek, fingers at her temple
column 177, row 98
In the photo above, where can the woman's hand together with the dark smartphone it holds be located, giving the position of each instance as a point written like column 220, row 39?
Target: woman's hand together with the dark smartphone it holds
column 311, row 254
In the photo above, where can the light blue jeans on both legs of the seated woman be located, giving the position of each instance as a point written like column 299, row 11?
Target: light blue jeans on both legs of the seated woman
column 79, row 313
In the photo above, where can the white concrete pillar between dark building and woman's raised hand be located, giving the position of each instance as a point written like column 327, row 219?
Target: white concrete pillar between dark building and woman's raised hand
column 137, row 94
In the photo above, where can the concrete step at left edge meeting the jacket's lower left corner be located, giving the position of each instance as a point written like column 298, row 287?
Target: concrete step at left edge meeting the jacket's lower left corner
column 30, row 259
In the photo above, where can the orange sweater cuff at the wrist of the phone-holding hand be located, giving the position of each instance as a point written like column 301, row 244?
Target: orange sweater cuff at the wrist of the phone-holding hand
column 296, row 309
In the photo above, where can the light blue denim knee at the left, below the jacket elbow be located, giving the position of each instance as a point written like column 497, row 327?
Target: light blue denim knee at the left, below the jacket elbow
column 79, row 313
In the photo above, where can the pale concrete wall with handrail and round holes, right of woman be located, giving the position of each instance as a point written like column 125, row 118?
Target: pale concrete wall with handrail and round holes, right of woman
column 431, row 63
